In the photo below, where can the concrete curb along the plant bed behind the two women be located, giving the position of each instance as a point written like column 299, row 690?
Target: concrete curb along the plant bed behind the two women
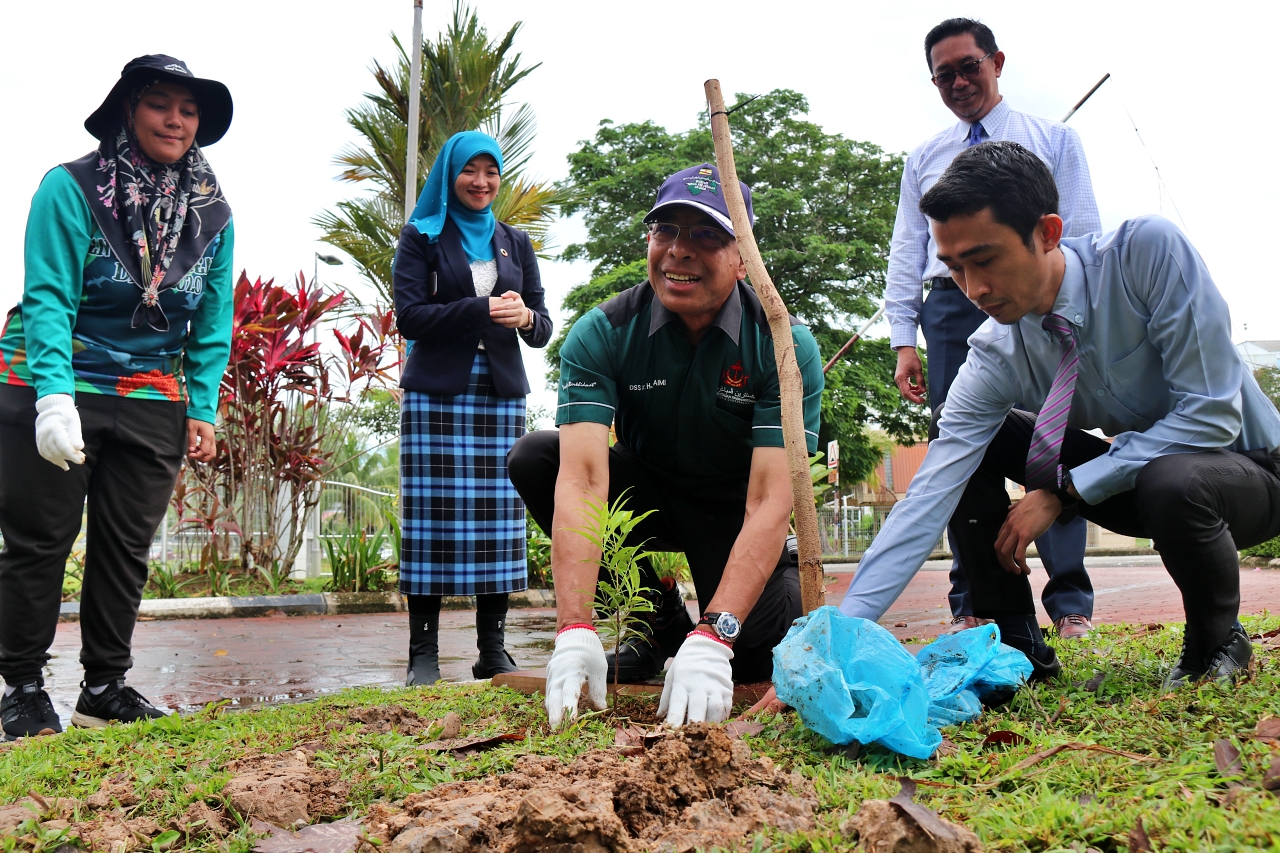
column 304, row 605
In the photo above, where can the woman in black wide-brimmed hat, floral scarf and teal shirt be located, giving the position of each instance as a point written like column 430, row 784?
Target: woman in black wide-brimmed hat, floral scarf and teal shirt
column 109, row 375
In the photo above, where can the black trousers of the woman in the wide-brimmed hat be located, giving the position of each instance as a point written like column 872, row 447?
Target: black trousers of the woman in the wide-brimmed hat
column 134, row 453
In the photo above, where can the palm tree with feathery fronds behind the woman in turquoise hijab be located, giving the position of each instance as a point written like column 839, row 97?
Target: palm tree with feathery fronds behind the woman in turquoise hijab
column 467, row 79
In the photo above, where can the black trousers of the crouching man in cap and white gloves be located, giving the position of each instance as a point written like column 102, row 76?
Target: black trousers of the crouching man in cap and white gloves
column 700, row 518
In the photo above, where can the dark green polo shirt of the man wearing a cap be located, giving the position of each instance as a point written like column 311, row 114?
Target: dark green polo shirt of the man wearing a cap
column 694, row 412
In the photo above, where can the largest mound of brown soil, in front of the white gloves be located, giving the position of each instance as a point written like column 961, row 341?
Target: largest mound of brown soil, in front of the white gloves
column 694, row 788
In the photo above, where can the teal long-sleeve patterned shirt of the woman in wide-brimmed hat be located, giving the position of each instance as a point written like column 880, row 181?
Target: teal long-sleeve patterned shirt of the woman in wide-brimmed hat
column 74, row 334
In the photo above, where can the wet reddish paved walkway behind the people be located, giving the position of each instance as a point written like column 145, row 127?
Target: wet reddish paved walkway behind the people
column 278, row 659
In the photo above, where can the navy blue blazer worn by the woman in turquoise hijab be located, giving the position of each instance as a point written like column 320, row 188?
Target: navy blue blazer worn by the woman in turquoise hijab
column 447, row 326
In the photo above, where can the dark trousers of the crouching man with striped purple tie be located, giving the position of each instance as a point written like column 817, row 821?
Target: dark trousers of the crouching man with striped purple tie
column 1199, row 510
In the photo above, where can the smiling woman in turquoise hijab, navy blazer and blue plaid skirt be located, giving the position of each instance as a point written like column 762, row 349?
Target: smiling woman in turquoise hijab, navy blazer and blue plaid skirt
column 467, row 294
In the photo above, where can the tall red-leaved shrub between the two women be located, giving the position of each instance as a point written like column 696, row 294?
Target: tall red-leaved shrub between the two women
column 285, row 407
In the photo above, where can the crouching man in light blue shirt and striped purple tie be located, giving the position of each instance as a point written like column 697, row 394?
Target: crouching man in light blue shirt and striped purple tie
column 1124, row 332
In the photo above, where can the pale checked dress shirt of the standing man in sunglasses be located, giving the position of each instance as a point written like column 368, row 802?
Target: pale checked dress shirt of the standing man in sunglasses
column 913, row 256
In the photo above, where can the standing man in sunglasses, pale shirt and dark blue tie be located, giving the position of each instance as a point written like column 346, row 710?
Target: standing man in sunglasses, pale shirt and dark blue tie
column 966, row 66
